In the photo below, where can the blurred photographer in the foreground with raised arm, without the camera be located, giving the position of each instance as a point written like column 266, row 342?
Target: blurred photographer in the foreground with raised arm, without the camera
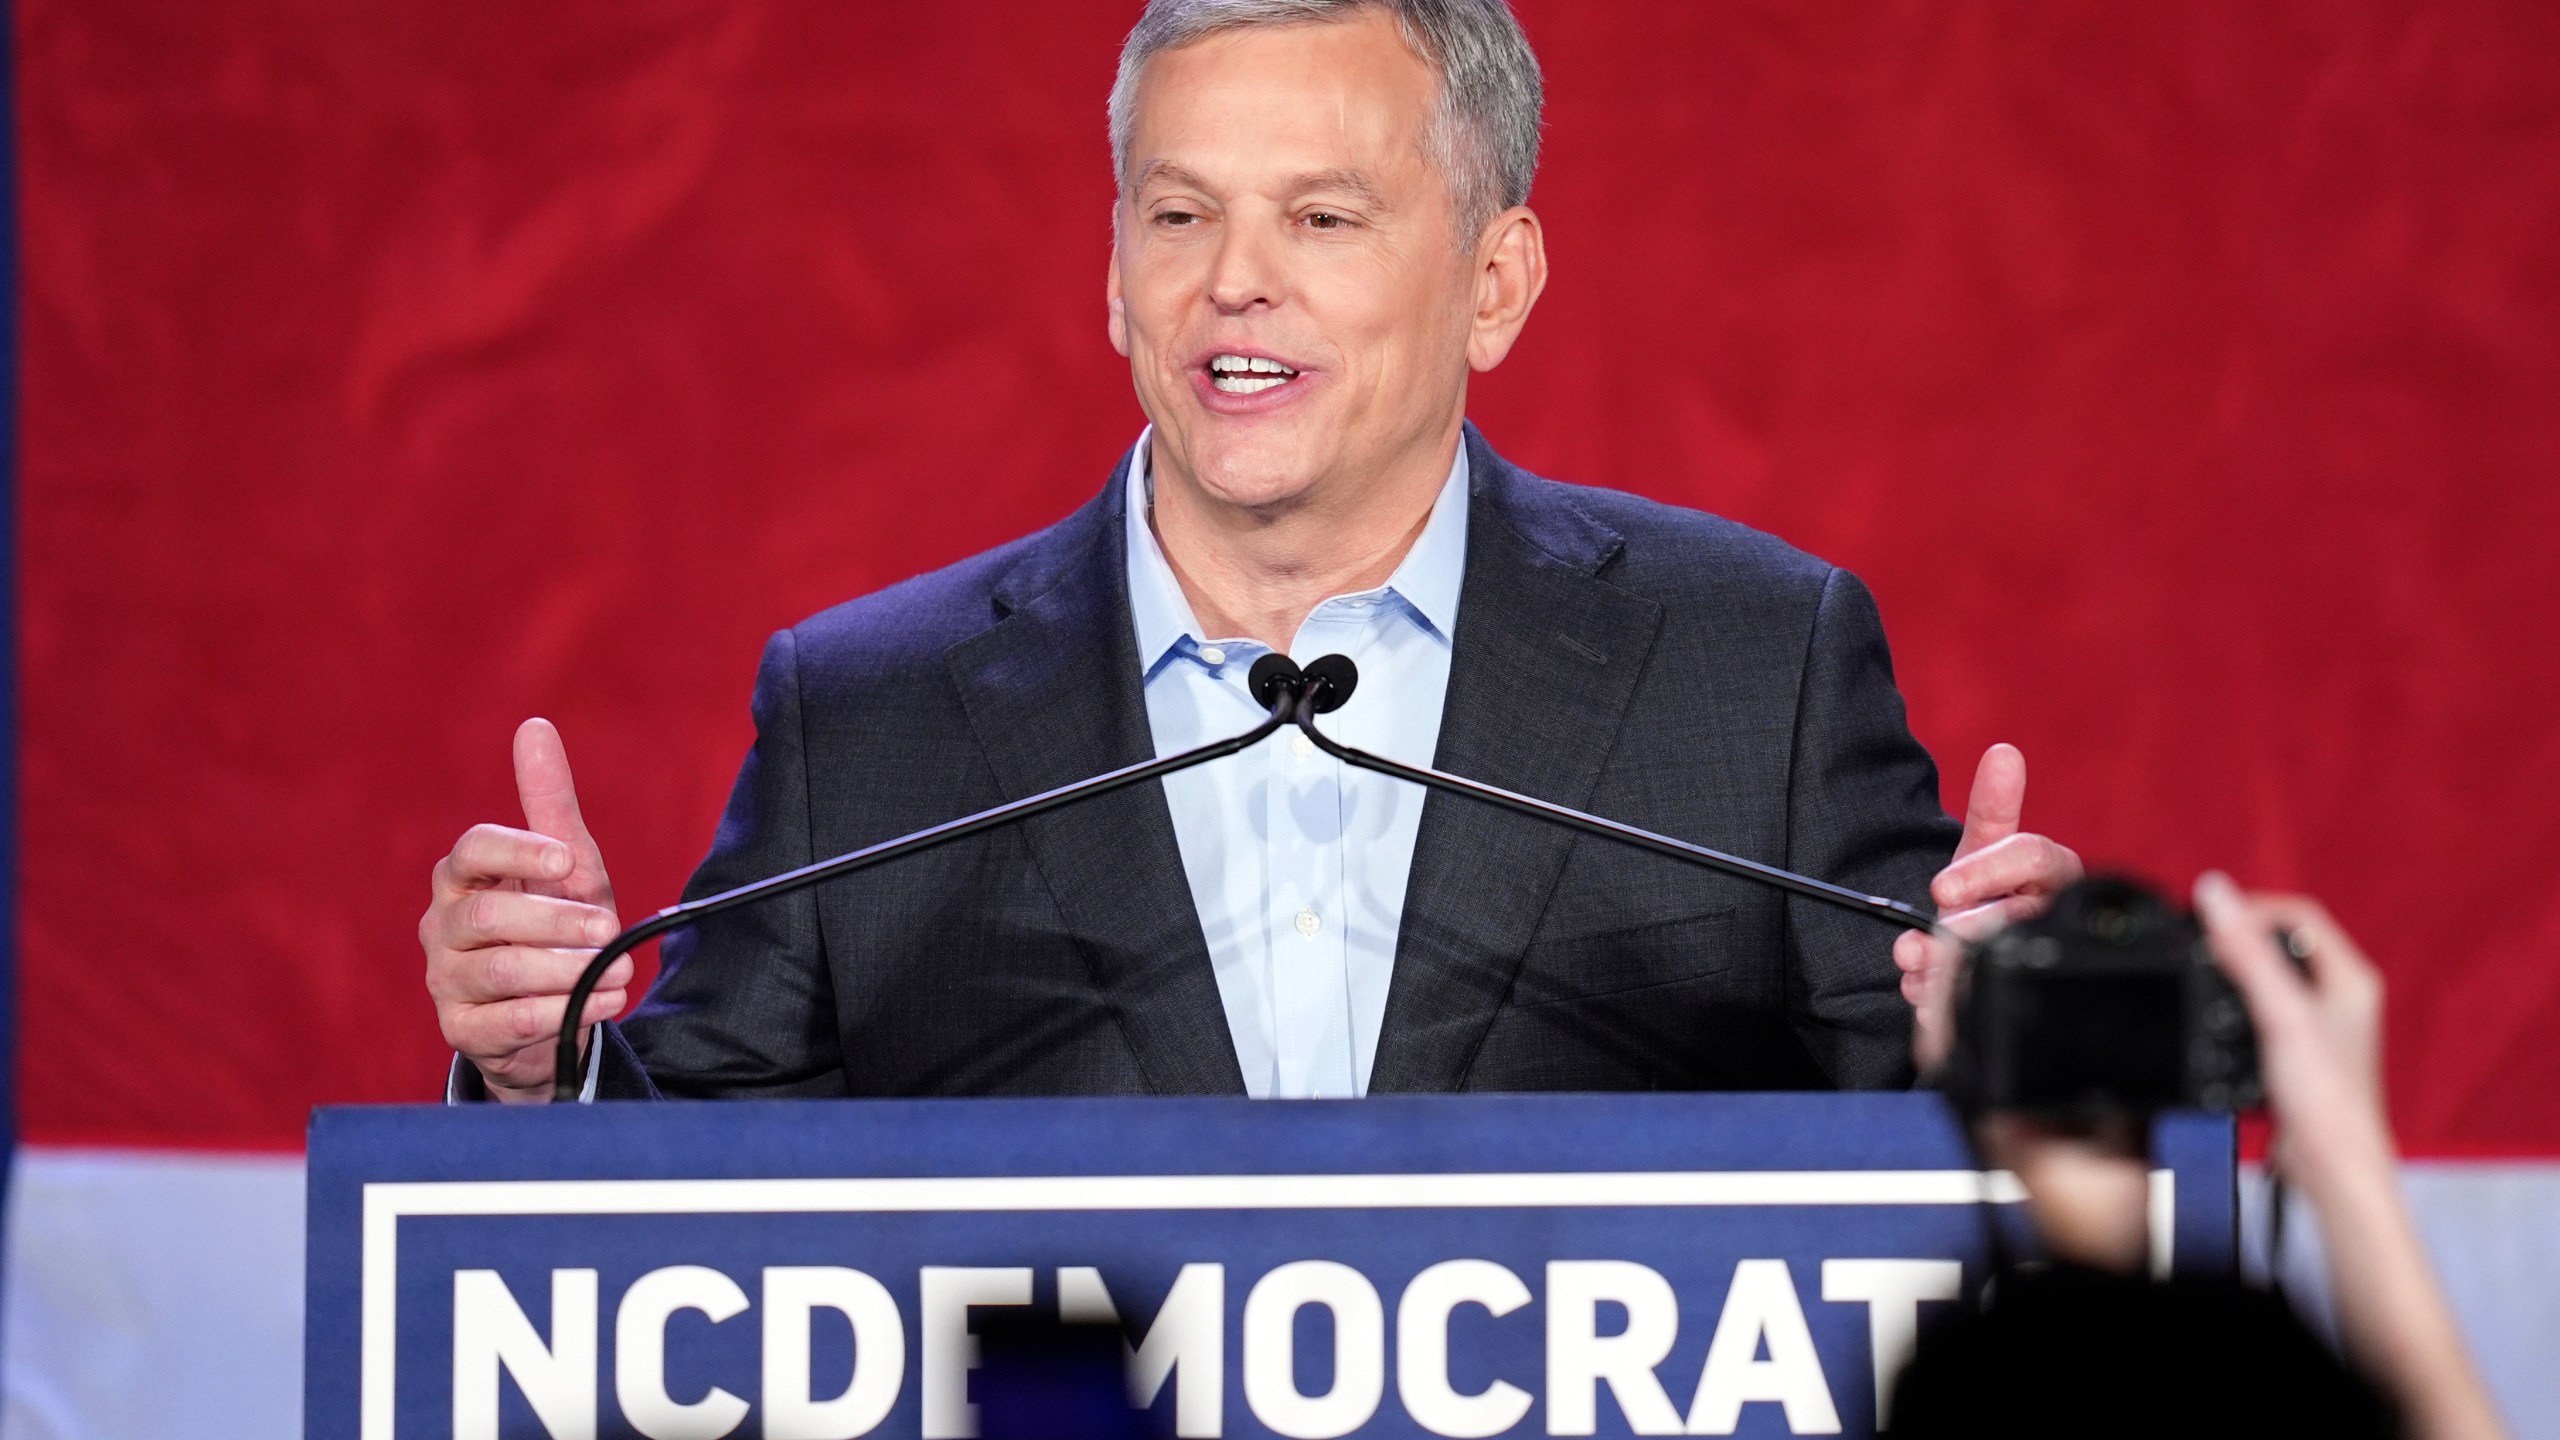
column 2090, row 1346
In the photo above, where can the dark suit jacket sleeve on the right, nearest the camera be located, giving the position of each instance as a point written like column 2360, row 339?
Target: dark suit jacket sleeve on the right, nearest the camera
column 1862, row 811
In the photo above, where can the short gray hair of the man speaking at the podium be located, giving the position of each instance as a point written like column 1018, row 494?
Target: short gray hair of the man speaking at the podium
column 1486, row 129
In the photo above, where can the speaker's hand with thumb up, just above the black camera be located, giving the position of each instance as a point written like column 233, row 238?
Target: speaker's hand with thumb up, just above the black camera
column 1998, row 875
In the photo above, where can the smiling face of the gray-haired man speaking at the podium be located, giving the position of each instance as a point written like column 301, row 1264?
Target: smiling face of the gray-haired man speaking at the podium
column 1286, row 270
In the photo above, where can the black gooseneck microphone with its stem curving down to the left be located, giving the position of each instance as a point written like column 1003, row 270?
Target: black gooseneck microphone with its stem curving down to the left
column 1274, row 683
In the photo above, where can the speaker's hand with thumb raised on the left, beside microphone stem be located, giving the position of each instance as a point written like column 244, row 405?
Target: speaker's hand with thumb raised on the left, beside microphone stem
column 513, row 919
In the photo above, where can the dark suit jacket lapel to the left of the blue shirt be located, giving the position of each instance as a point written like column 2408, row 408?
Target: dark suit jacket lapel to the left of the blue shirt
column 1053, row 693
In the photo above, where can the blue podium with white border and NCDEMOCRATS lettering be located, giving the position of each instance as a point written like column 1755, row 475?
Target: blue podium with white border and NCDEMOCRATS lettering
column 1581, row 1264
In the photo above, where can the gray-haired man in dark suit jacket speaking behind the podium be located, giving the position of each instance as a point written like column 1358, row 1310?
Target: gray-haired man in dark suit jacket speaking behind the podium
column 1320, row 232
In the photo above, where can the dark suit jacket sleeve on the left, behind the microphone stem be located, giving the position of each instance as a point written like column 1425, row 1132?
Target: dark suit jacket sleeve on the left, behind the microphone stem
column 744, row 1001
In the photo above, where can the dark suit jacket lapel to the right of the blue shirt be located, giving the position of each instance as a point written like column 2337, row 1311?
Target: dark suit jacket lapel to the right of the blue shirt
column 1545, row 665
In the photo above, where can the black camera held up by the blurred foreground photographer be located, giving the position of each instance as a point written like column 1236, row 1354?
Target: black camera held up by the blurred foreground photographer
column 2106, row 1003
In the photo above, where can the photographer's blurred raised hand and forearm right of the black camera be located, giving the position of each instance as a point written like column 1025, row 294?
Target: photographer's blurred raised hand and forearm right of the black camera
column 2321, row 1054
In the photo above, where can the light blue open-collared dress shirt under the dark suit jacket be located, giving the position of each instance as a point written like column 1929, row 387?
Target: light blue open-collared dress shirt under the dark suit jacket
column 1299, row 862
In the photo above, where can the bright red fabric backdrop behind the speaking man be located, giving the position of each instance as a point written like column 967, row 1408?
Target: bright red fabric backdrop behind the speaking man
column 2180, row 375
